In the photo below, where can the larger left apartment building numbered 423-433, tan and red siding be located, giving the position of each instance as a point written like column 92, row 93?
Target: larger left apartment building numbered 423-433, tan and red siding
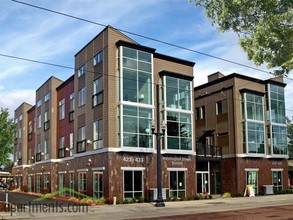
column 95, row 133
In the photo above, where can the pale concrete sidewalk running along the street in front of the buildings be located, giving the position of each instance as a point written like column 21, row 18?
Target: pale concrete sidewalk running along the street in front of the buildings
column 148, row 210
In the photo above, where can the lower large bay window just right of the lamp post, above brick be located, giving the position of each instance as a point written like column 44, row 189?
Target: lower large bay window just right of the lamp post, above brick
column 179, row 135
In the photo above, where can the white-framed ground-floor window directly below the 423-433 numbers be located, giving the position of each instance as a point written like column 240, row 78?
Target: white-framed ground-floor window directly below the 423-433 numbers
column 133, row 184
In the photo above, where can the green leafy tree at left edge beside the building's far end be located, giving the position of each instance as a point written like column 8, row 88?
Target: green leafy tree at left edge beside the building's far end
column 7, row 129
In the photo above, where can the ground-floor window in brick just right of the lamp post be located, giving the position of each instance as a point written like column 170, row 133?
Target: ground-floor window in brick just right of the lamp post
column 177, row 184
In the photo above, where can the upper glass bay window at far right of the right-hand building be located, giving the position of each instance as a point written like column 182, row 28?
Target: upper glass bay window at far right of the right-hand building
column 276, row 103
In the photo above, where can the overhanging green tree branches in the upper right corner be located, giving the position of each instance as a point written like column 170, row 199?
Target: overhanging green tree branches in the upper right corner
column 264, row 27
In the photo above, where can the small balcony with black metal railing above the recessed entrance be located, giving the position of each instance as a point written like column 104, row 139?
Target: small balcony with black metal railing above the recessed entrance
column 209, row 152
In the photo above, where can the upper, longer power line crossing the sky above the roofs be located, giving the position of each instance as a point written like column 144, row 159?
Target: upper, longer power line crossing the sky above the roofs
column 143, row 36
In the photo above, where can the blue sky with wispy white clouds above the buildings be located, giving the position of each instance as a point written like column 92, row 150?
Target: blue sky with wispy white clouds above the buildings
column 40, row 35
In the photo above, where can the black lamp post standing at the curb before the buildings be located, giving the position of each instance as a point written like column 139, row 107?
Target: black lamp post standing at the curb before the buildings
column 160, row 201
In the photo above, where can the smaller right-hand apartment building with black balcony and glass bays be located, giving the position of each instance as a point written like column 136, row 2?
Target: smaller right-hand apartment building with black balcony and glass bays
column 244, row 119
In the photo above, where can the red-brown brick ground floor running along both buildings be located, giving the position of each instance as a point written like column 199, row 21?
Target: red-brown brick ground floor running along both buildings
column 134, row 175
